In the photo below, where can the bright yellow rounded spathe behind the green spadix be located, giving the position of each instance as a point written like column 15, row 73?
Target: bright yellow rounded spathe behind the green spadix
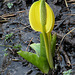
column 34, row 17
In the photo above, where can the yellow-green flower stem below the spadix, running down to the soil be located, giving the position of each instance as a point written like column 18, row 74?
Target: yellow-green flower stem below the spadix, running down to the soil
column 48, row 50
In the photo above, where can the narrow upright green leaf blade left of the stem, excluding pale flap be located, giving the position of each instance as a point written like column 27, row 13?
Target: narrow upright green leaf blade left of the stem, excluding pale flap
column 42, row 46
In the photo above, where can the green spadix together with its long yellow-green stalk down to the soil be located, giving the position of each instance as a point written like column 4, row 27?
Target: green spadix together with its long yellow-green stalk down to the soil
column 46, row 41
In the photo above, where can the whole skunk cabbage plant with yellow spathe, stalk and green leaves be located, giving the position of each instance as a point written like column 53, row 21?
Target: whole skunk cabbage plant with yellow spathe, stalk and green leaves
column 42, row 19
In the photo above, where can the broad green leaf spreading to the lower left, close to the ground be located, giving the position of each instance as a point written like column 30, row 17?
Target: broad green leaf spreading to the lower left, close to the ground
column 39, row 62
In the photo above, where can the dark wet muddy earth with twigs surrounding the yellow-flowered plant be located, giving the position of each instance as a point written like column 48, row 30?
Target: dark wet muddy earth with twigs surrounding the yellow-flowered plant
column 15, row 30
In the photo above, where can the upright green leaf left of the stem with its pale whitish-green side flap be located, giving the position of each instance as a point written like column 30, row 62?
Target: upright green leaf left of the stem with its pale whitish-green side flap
column 39, row 47
